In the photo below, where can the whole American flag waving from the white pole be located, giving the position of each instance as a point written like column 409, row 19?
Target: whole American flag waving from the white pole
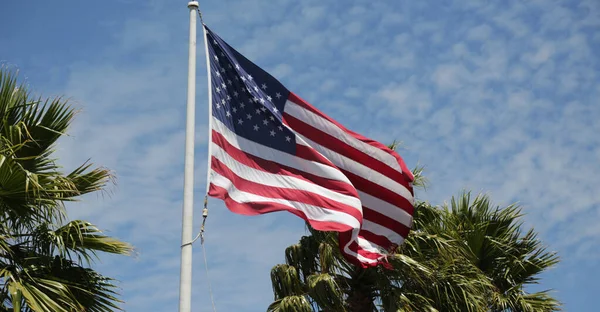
column 273, row 151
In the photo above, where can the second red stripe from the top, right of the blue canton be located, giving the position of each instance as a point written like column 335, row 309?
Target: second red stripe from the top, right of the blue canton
column 336, row 145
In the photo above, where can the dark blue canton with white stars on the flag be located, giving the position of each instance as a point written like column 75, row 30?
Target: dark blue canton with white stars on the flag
column 248, row 100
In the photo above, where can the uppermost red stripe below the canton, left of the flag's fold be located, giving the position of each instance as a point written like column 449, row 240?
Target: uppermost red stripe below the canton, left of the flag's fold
column 276, row 168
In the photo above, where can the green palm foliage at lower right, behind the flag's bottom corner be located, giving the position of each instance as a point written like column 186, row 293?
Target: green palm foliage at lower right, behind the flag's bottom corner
column 467, row 257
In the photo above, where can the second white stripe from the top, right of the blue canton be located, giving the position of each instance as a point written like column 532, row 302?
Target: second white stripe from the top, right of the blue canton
column 361, row 170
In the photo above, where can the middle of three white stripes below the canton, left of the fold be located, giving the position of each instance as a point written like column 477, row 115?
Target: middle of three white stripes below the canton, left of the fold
column 282, row 181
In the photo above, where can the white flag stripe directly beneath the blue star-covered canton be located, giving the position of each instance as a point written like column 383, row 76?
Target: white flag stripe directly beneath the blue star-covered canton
column 274, row 155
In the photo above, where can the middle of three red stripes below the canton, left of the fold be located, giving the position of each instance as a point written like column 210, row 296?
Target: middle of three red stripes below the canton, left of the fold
column 297, row 195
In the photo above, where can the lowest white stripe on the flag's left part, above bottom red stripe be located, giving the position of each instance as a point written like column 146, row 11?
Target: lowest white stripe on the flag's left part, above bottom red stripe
column 312, row 212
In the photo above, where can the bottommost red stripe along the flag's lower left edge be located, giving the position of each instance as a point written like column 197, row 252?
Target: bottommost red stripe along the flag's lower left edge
column 257, row 208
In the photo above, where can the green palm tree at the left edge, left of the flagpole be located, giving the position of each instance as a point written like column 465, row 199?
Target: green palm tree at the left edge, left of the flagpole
column 45, row 259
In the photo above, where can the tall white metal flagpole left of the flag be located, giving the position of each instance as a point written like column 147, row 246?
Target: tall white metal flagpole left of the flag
column 185, row 278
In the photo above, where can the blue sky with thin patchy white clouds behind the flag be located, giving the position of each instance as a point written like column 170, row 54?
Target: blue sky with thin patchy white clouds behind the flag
column 494, row 97
